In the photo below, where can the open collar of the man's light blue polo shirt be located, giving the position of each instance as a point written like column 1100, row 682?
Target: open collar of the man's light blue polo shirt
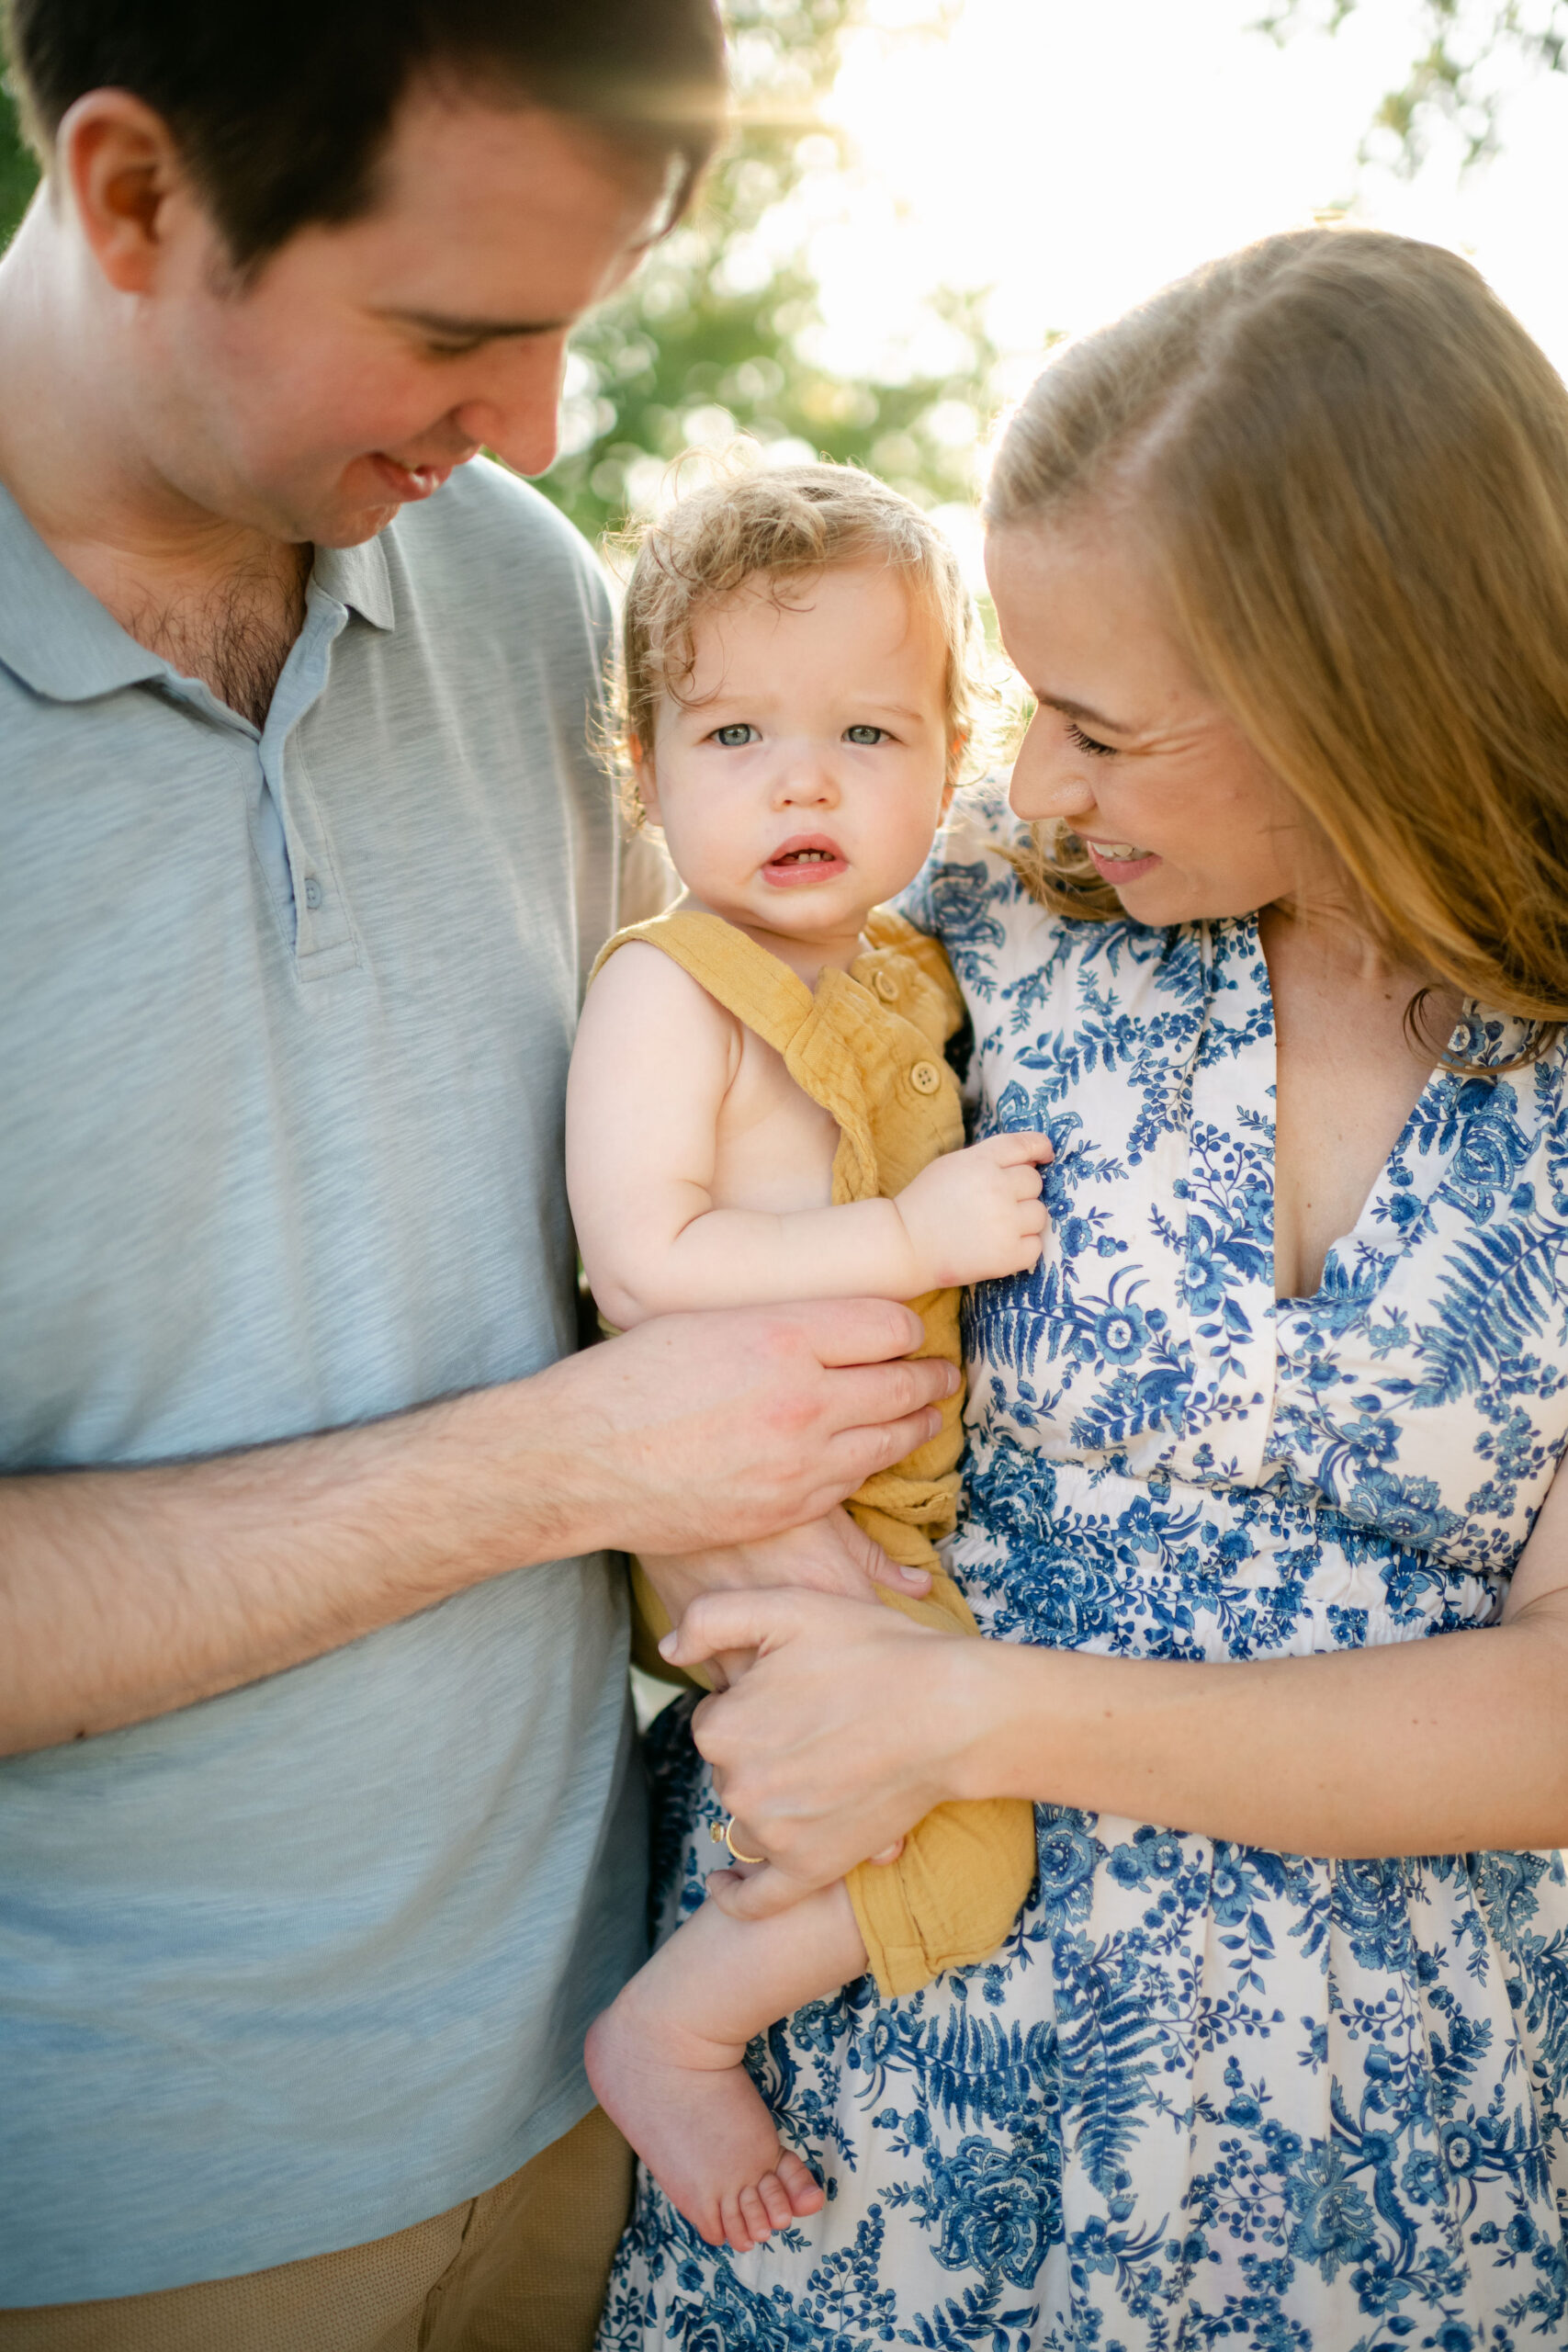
column 62, row 643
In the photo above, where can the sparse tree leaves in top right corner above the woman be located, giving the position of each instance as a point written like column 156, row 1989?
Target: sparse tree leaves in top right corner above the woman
column 1454, row 79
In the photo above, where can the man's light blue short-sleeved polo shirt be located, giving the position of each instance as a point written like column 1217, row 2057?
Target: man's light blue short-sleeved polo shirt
column 283, row 1053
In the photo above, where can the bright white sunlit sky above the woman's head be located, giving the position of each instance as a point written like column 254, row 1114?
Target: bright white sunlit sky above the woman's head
column 1078, row 154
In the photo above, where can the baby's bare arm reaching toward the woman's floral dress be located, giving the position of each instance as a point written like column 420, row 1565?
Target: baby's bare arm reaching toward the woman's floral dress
column 650, row 1076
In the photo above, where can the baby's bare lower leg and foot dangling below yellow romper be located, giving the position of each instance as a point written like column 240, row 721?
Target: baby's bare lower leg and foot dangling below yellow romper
column 666, row 2062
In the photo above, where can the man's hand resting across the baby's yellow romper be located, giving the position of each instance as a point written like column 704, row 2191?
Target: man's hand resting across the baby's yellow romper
column 704, row 1431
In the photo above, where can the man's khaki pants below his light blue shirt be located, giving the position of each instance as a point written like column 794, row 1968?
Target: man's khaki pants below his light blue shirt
column 521, row 2269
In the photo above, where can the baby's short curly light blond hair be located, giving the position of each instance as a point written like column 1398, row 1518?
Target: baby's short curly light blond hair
column 779, row 528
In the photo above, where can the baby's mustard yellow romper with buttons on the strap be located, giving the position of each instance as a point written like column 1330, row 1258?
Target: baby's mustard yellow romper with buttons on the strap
column 869, row 1048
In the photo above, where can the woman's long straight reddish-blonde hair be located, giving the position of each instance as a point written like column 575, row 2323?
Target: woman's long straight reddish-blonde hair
column 1348, row 467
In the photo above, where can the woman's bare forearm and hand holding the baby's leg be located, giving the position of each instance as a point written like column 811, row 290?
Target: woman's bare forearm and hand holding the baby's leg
column 855, row 1723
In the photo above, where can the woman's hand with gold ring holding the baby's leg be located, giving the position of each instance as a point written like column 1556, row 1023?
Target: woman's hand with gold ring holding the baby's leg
column 845, row 1732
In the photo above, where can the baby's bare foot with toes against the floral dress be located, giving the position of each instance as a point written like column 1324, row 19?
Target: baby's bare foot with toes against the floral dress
column 695, row 2118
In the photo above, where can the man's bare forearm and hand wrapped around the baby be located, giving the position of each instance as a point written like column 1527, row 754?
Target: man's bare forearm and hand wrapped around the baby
column 130, row 1593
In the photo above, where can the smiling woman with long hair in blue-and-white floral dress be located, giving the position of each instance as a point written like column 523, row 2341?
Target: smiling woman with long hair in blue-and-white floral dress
column 1261, row 1495
